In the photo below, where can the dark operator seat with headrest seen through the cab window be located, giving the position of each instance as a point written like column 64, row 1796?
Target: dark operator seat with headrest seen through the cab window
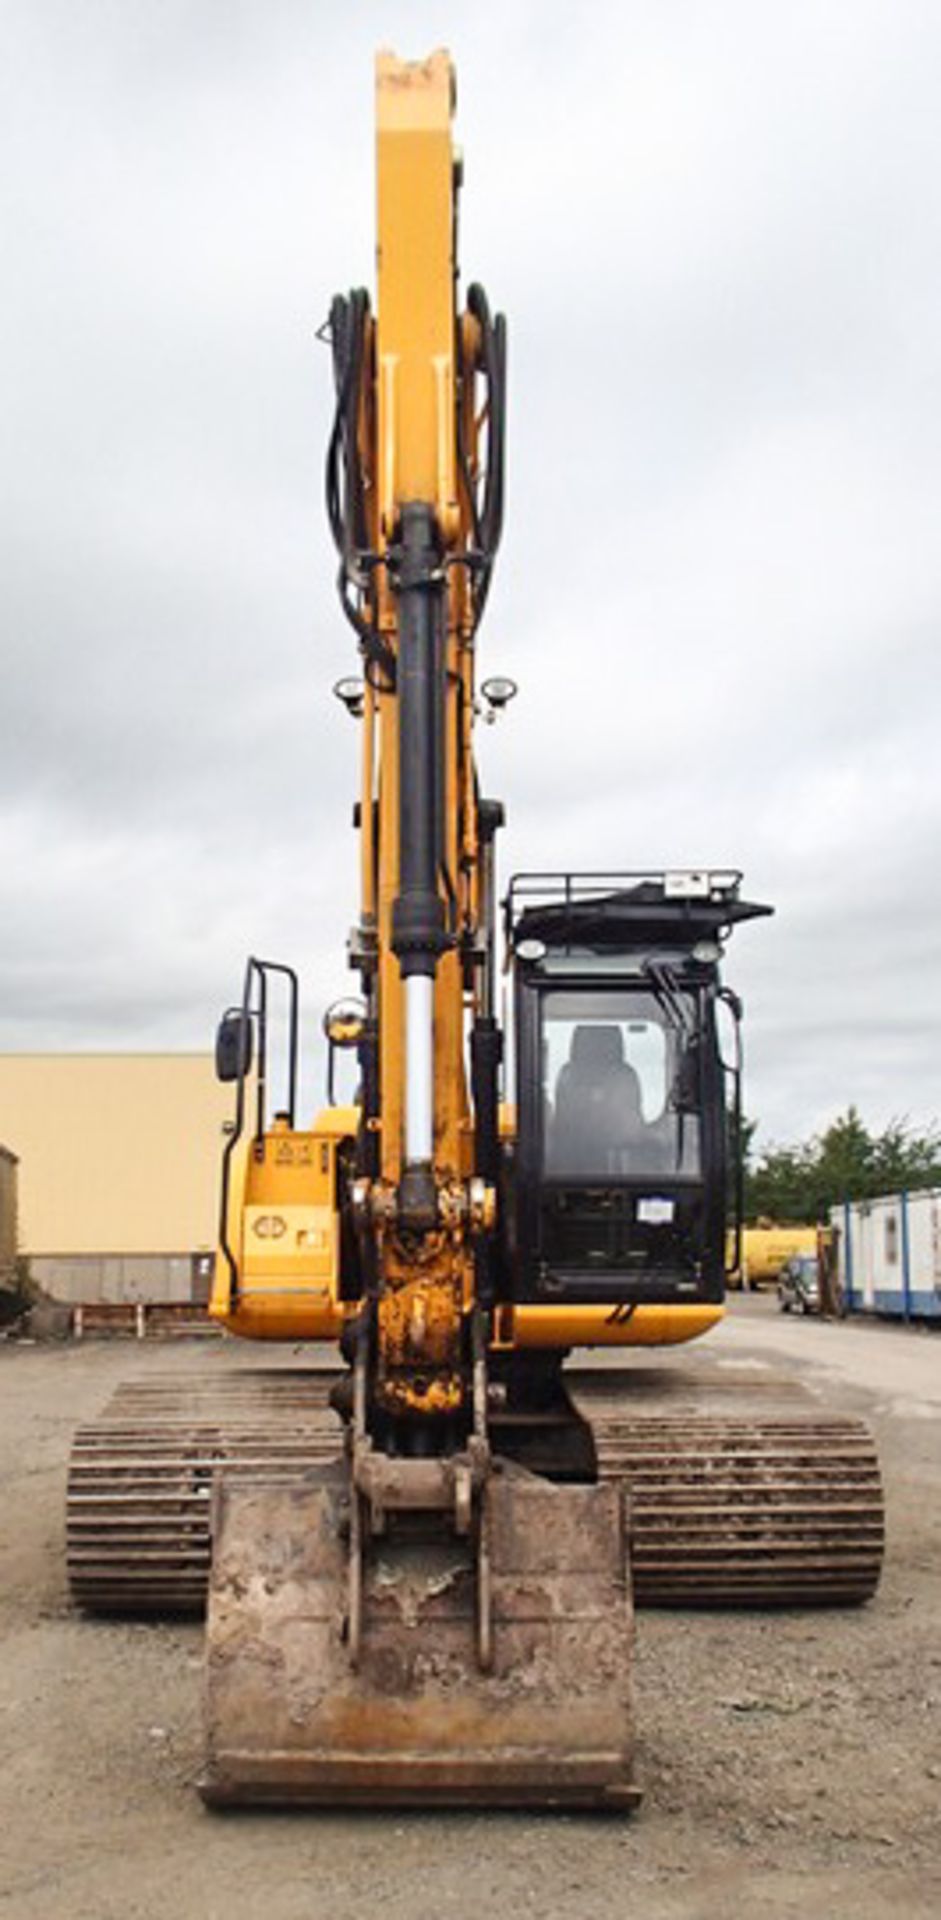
column 598, row 1107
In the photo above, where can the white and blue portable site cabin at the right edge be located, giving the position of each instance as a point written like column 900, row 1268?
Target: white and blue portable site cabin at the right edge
column 890, row 1255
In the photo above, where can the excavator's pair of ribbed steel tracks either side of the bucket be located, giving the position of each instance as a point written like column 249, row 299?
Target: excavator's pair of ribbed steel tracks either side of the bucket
column 733, row 1510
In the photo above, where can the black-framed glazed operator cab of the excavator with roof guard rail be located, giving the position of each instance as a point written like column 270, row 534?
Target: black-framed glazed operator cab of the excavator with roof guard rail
column 625, row 1103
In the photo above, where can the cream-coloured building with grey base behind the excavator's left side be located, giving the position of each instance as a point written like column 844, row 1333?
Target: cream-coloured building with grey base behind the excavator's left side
column 118, row 1170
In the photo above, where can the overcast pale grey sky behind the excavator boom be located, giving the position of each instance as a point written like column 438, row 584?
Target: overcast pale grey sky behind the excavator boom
column 715, row 229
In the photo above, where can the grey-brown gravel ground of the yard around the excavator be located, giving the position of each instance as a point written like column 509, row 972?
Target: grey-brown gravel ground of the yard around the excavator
column 792, row 1765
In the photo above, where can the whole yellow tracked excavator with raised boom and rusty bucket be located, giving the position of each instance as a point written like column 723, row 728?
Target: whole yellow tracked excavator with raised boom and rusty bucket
column 422, row 1562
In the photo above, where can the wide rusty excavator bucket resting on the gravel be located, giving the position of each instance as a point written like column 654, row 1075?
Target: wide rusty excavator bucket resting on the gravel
column 418, row 1721
